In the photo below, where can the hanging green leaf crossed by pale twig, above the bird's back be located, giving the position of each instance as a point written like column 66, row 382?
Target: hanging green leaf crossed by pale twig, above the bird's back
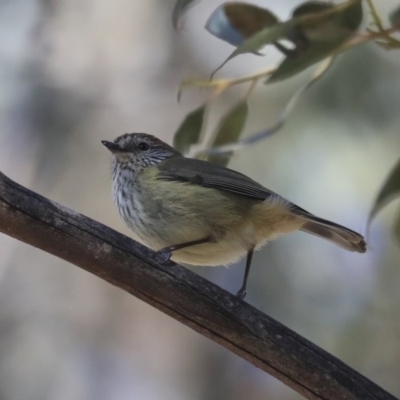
column 229, row 131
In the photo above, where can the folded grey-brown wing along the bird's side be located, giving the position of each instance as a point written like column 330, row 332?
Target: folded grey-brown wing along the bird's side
column 204, row 174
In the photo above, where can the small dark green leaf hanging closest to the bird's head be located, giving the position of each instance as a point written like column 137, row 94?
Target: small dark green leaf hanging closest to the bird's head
column 190, row 129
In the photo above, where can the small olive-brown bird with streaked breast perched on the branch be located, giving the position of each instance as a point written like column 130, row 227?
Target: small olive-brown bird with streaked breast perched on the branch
column 198, row 213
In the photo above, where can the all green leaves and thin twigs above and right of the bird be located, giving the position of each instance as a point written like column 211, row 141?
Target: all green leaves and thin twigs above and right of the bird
column 316, row 31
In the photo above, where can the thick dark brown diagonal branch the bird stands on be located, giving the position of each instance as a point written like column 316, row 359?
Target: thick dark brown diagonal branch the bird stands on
column 180, row 293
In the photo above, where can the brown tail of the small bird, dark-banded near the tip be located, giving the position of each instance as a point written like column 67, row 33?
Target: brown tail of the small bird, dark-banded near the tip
column 336, row 233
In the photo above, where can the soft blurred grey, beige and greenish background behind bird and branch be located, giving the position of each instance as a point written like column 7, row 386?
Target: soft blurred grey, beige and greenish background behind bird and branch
column 74, row 72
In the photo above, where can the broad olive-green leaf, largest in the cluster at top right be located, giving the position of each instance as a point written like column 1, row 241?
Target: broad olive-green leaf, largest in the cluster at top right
column 318, row 34
